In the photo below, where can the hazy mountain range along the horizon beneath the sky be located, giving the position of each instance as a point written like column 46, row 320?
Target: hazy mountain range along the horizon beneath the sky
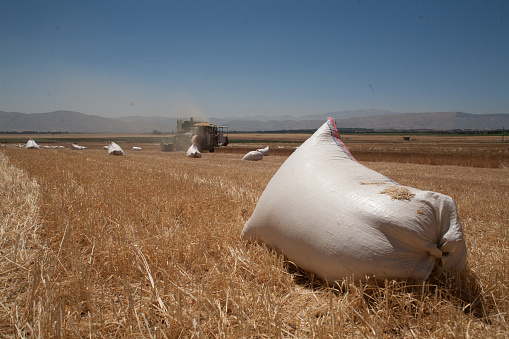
column 75, row 122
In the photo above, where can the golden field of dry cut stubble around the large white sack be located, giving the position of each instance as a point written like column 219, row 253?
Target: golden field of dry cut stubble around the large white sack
column 148, row 245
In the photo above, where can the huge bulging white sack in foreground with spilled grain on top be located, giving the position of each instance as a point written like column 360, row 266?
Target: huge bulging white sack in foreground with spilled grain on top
column 334, row 217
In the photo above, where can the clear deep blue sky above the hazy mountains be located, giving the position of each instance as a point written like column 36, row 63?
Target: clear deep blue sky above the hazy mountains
column 245, row 58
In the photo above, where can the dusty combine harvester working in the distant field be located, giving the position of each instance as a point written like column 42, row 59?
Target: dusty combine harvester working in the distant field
column 202, row 134
